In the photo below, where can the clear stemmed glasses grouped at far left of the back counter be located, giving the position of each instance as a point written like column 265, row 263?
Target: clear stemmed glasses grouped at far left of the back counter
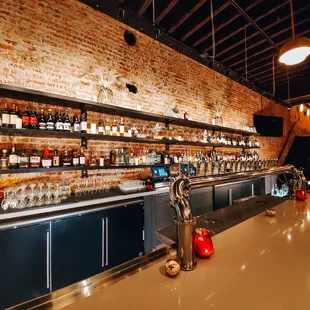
column 35, row 195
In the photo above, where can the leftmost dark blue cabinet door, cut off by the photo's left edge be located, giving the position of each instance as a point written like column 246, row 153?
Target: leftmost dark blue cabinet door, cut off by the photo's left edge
column 24, row 264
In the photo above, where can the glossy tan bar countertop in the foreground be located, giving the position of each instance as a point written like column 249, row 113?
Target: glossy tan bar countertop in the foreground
column 261, row 263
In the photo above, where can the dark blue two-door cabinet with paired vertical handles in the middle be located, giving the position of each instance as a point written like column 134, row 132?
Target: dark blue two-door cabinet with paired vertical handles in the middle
column 87, row 244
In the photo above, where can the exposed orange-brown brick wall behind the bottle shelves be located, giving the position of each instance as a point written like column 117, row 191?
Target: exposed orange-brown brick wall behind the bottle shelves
column 62, row 46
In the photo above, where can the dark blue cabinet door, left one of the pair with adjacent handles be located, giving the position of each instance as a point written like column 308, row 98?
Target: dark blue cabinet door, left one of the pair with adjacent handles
column 76, row 249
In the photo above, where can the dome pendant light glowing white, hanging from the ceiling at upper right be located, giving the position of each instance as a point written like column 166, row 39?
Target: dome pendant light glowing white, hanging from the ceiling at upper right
column 296, row 50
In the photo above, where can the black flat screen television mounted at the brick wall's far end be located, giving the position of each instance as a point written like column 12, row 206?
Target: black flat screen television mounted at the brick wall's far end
column 269, row 126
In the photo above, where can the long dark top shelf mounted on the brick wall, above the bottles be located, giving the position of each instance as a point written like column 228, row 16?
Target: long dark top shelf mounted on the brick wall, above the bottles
column 19, row 93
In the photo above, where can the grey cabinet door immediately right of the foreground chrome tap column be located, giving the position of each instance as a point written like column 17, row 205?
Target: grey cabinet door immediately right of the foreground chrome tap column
column 201, row 200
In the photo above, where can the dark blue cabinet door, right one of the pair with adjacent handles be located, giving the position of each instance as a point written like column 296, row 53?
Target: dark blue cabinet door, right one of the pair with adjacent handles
column 123, row 234
